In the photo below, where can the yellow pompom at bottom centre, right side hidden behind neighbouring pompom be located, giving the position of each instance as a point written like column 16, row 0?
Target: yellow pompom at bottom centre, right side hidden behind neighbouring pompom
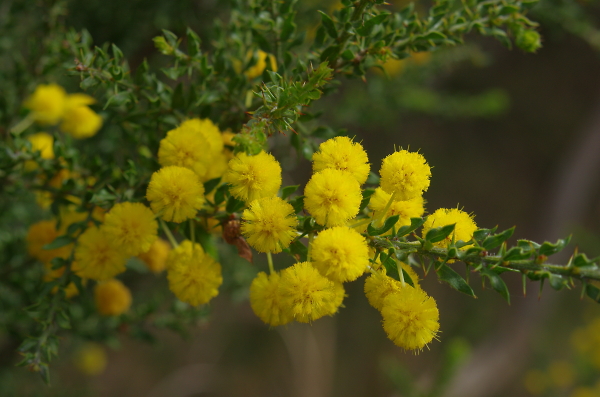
column 266, row 300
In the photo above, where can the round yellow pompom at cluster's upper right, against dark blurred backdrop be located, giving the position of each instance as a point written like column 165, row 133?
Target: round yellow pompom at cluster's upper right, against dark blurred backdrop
column 406, row 174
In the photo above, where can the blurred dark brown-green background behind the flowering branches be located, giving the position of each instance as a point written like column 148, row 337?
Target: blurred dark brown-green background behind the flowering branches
column 514, row 138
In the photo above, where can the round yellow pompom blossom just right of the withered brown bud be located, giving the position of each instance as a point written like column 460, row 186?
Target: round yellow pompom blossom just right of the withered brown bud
column 269, row 224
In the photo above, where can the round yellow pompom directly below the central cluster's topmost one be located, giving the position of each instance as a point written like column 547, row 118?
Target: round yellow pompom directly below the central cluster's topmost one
column 332, row 197
